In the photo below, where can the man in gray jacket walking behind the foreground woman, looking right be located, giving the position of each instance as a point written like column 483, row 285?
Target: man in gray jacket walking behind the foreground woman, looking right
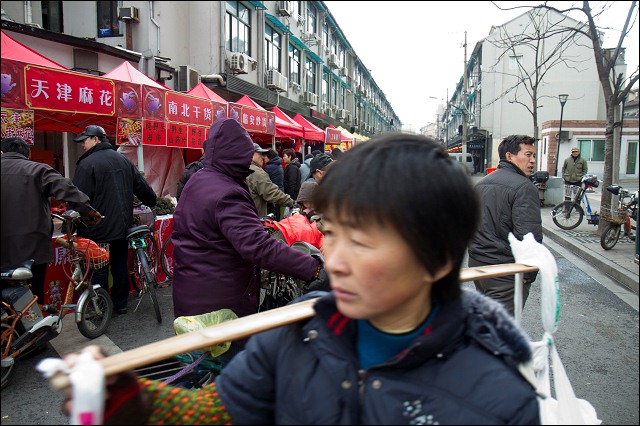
column 509, row 203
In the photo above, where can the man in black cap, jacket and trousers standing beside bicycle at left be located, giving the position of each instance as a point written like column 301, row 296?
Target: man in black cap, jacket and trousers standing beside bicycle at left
column 110, row 180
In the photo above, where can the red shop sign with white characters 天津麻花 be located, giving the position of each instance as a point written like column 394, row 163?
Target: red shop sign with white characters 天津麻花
column 66, row 91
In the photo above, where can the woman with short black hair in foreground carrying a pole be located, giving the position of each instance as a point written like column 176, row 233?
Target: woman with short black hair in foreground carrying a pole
column 397, row 340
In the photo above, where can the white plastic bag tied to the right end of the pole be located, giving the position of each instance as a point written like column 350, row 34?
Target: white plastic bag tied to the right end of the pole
column 565, row 408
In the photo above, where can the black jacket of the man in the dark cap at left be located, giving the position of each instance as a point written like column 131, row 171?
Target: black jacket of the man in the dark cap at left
column 111, row 180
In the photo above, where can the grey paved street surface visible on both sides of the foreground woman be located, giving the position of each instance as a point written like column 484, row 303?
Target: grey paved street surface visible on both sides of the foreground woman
column 597, row 337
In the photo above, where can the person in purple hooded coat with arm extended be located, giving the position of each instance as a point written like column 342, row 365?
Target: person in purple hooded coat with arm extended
column 218, row 239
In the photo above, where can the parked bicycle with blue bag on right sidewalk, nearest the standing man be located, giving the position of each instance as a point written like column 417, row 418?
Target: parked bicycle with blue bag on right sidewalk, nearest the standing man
column 569, row 214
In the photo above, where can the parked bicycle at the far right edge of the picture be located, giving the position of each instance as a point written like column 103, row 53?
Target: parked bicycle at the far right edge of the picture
column 619, row 217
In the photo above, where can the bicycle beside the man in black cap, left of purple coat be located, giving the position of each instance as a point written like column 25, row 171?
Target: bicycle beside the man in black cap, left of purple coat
column 143, row 262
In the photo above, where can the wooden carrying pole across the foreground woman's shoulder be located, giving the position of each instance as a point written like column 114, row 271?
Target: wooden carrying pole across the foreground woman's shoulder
column 246, row 326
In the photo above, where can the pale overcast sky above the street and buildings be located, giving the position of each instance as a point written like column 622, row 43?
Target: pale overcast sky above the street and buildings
column 414, row 50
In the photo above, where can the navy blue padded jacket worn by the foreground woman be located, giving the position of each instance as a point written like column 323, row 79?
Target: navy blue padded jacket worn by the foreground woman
column 462, row 370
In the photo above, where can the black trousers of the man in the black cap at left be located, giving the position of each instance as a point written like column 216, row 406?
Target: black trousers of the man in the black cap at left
column 118, row 254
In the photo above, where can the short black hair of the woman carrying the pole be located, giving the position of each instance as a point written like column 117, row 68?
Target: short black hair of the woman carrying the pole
column 410, row 183
